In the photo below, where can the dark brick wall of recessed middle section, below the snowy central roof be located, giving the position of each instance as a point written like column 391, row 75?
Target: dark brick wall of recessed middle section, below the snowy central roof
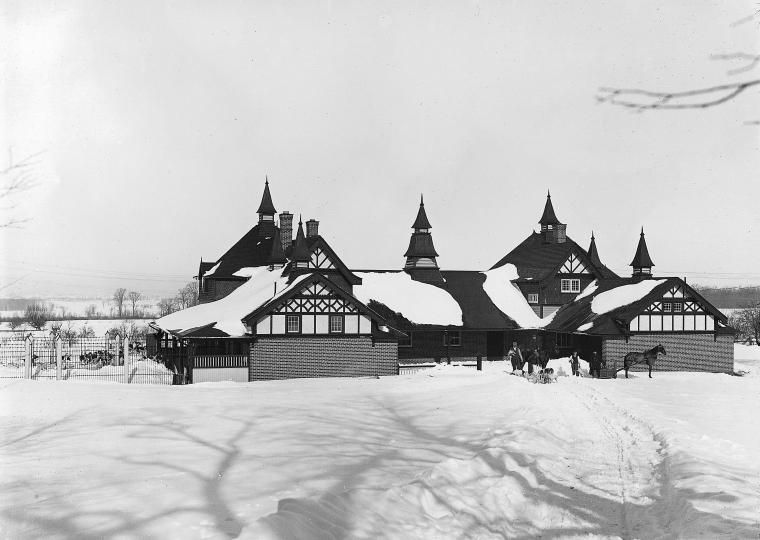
column 429, row 347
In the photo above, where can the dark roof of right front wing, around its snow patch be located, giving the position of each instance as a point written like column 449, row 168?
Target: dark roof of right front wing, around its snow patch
column 577, row 313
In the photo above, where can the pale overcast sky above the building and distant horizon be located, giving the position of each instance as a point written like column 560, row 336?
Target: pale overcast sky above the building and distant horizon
column 159, row 121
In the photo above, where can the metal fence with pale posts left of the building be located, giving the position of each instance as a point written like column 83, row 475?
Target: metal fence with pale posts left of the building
column 81, row 359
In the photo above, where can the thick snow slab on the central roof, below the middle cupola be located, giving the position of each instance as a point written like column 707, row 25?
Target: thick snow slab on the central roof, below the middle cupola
column 419, row 302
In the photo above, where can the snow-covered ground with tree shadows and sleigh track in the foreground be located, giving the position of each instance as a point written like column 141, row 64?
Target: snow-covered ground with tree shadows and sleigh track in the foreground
column 446, row 453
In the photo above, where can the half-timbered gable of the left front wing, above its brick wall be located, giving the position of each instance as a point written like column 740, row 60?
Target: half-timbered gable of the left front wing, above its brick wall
column 316, row 307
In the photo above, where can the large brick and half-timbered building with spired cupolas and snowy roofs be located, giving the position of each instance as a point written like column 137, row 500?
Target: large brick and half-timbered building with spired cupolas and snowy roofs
column 277, row 307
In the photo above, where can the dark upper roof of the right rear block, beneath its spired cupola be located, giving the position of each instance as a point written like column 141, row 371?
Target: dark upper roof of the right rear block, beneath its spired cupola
column 536, row 259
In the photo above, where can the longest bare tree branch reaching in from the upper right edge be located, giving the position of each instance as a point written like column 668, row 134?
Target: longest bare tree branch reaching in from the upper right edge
column 673, row 100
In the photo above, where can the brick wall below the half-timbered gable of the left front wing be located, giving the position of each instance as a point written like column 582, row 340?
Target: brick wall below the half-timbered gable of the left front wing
column 290, row 358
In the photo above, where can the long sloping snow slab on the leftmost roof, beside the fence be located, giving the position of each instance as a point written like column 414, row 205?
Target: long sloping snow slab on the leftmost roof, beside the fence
column 226, row 313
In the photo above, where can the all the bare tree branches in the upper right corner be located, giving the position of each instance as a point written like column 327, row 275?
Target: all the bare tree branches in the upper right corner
column 641, row 100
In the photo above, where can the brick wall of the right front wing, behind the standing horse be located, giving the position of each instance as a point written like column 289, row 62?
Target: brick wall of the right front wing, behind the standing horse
column 685, row 352
